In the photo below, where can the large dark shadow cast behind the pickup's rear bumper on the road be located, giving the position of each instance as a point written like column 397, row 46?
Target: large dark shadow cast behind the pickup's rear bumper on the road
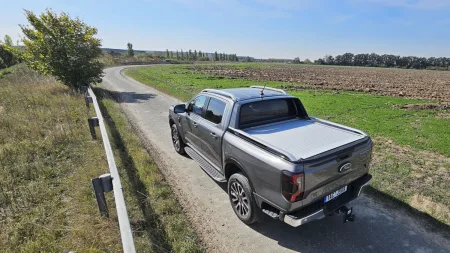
column 374, row 230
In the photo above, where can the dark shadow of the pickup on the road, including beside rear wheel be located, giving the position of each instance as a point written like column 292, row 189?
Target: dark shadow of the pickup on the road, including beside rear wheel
column 375, row 229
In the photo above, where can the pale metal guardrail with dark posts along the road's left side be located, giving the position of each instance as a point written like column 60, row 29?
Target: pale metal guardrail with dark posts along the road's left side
column 110, row 182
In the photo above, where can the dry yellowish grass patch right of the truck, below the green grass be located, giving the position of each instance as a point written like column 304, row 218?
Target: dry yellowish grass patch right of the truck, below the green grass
column 419, row 178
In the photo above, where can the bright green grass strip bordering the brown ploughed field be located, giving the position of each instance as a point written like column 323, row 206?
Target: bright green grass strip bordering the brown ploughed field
column 377, row 115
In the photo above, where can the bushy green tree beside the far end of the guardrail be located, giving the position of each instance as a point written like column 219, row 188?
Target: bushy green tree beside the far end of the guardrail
column 63, row 47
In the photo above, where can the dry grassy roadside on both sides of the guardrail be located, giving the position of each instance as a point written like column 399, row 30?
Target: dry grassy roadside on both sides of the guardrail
column 47, row 161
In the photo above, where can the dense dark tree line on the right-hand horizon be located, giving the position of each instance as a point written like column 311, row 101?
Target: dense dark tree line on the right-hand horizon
column 385, row 60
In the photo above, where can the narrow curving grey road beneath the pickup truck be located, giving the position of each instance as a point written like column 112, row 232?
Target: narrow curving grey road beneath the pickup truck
column 376, row 229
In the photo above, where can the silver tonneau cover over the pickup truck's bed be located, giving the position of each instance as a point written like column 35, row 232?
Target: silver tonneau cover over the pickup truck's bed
column 303, row 139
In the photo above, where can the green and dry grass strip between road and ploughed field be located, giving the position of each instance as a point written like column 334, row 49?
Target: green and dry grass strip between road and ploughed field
column 422, row 181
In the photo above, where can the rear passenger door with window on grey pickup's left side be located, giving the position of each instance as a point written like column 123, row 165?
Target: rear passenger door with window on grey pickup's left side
column 211, row 130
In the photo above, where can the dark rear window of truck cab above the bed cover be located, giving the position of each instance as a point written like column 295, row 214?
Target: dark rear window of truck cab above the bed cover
column 266, row 111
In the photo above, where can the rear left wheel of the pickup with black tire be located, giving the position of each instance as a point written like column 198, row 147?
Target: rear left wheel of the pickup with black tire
column 241, row 198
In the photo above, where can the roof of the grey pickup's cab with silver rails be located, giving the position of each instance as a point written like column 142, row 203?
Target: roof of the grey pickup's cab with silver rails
column 238, row 94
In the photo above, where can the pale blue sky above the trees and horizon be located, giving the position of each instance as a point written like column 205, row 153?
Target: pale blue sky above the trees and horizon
column 259, row 28
